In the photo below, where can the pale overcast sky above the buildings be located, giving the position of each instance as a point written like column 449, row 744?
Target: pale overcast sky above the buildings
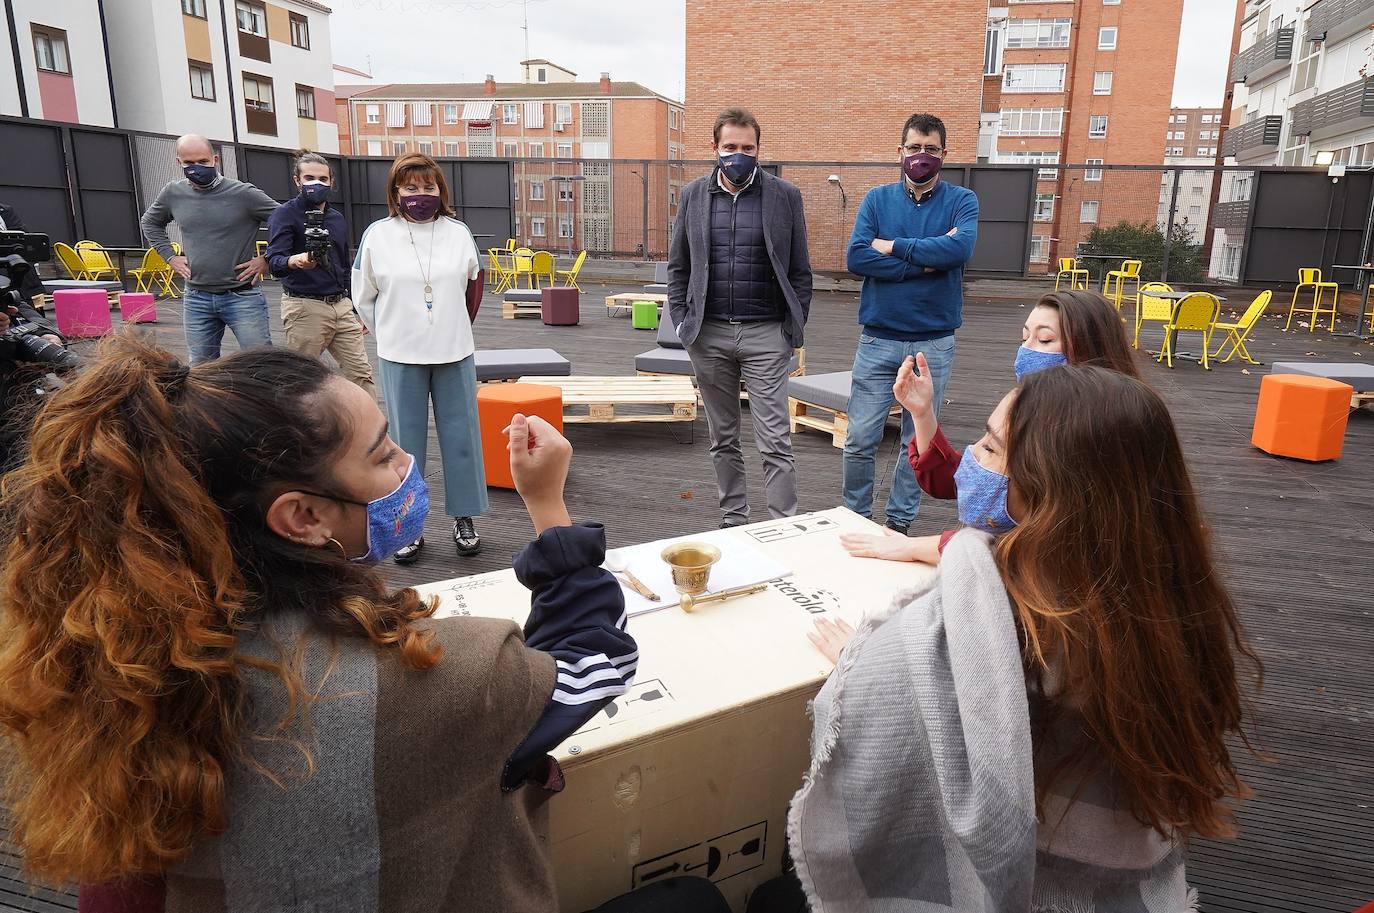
column 637, row 41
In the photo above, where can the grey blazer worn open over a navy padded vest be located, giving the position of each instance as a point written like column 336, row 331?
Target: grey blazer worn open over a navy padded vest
column 689, row 256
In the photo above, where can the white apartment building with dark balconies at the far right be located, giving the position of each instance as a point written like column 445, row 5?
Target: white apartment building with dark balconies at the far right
column 1302, row 93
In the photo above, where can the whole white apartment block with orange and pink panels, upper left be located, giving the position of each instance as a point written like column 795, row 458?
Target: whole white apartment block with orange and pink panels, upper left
column 245, row 71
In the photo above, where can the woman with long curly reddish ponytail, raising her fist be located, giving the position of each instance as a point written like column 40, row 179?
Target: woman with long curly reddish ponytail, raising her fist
column 211, row 698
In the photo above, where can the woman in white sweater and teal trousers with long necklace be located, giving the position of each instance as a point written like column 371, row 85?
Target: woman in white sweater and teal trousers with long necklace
column 417, row 284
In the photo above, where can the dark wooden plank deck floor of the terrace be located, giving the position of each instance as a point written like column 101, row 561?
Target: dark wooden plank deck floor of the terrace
column 1298, row 542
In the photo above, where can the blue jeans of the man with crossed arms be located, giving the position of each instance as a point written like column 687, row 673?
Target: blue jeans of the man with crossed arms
column 870, row 401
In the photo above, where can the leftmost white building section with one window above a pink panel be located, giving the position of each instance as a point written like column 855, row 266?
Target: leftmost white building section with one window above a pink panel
column 61, row 74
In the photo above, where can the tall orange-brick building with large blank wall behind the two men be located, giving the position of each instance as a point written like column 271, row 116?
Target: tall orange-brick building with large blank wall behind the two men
column 1016, row 82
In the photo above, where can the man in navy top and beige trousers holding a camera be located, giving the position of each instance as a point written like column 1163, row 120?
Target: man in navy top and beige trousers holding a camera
column 308, row 251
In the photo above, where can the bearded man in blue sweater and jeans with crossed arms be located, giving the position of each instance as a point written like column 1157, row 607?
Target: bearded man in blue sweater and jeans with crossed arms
column 910, row 244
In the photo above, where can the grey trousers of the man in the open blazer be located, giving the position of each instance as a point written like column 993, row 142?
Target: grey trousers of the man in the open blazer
column 723, row 354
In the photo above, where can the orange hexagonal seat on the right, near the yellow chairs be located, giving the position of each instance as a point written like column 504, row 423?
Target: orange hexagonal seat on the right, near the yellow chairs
column 1302, row 417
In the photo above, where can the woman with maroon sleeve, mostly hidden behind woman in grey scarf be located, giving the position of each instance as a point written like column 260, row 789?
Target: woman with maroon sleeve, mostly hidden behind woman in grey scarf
column 1075, row 328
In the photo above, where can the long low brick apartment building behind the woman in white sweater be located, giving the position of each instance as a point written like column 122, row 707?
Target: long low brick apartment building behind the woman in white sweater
column 543, row 123
